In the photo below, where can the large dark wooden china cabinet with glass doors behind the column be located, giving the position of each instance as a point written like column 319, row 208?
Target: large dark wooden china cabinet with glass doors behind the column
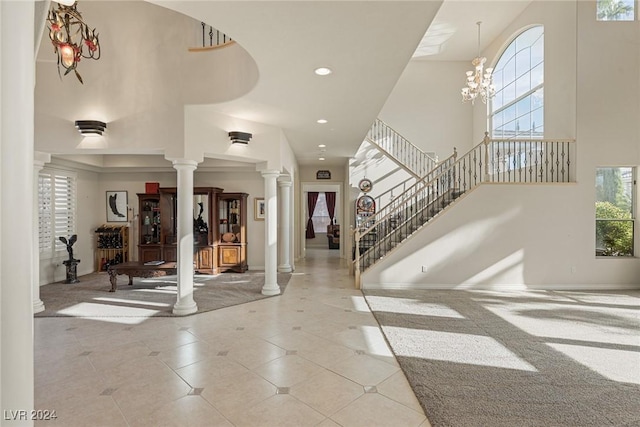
column 216, row 217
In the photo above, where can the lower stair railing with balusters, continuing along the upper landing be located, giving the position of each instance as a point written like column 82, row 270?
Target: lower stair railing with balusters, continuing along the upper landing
column 490, row 162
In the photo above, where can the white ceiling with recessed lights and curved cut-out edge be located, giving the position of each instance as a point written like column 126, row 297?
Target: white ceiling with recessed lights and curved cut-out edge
column 367, row 44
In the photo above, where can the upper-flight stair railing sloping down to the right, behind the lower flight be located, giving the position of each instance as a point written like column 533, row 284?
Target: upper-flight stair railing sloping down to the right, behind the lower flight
column 400, row 150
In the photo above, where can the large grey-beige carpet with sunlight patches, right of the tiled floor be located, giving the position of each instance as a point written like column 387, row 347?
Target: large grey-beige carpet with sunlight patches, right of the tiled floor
column 481, row 358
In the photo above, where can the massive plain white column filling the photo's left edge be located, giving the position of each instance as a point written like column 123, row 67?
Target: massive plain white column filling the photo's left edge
column 17, row 74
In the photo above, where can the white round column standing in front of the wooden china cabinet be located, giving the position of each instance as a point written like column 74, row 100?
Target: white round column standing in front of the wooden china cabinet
column 185, row 303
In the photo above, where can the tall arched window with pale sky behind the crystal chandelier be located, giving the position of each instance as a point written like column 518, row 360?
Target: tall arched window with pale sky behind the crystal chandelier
column 517, row 108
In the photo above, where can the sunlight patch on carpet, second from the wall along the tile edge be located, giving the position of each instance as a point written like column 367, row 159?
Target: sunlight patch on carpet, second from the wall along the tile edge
column 454, row 347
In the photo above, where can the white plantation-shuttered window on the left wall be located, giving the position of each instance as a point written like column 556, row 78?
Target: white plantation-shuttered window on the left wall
column 57, row 210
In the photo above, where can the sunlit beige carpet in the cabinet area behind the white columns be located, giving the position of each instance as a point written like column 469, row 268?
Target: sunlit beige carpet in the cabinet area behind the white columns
column 149, row 297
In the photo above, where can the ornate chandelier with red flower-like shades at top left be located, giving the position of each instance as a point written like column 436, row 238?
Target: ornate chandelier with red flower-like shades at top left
column 71, row 37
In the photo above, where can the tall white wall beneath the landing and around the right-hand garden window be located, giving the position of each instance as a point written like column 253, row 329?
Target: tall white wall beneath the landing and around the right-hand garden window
column 542, row 236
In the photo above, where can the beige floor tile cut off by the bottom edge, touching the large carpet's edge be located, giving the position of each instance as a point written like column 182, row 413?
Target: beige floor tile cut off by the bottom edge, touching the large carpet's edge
column 373, row 410
